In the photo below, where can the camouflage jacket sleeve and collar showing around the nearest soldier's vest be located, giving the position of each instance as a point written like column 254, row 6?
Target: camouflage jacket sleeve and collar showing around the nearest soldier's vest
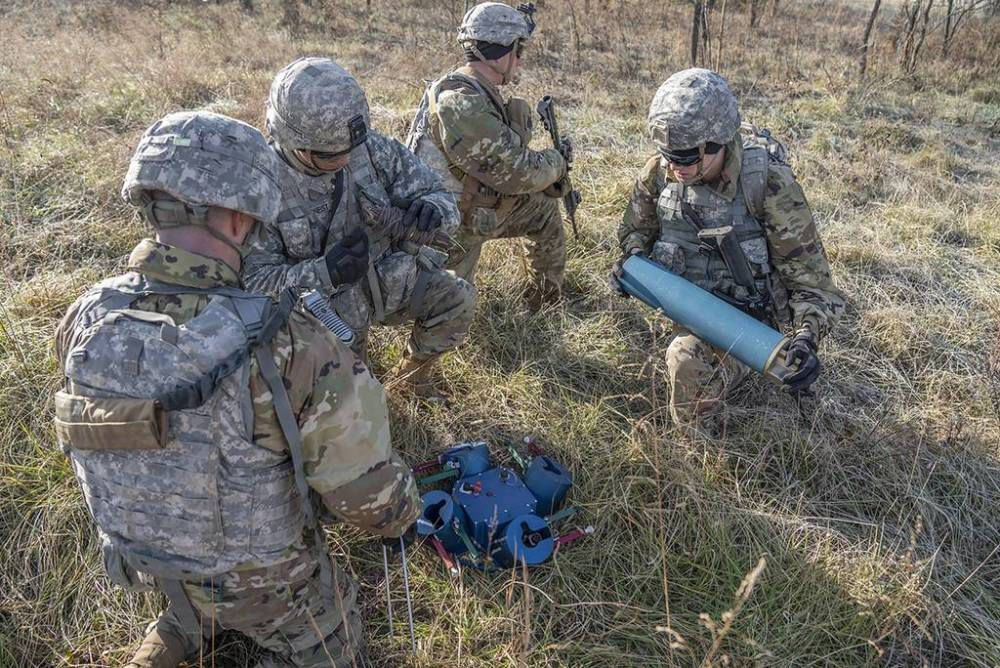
column 340, row 406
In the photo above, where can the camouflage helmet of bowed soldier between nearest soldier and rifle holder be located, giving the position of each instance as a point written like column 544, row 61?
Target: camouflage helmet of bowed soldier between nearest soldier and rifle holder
column 316, row 105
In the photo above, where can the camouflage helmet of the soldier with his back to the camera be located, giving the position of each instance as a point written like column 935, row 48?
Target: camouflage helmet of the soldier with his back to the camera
column 189, row 161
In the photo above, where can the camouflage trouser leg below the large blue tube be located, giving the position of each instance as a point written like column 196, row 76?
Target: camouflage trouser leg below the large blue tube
column 701, row 376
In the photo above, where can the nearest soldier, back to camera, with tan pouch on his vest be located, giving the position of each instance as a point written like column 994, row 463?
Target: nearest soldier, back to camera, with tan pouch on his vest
column 207, row 426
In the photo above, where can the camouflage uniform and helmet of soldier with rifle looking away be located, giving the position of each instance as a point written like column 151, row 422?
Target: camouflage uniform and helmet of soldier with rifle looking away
column 478, row 143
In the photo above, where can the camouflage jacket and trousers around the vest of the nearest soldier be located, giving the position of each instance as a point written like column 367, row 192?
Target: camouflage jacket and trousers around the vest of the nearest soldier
column 349, row 464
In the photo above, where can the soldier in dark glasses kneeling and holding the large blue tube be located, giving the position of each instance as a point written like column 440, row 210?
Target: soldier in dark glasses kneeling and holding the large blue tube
column 704, row 189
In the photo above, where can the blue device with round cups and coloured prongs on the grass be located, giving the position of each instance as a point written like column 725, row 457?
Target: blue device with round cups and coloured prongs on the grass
column 490, row 516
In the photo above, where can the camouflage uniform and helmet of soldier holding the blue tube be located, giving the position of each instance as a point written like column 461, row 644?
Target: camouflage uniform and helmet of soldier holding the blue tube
column 777, row 235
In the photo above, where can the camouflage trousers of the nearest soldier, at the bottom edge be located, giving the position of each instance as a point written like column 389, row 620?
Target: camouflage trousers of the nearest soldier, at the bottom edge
column 282, row 609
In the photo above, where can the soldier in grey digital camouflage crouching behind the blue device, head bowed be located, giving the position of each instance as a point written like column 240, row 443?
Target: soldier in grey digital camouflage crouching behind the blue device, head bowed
column 358, row 214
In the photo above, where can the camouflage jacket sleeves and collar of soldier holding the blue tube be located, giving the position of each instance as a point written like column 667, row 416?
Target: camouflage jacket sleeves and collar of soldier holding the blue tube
column 794, row 247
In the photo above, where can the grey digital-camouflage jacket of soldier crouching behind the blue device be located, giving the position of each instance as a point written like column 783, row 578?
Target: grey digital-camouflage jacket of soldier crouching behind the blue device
column 314, row 214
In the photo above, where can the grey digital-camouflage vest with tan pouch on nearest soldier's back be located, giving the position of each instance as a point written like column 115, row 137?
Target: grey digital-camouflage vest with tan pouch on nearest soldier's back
column 157, row 420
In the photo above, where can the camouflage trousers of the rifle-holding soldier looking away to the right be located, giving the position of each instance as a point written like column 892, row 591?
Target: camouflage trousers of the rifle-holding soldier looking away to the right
column 535, row 217
